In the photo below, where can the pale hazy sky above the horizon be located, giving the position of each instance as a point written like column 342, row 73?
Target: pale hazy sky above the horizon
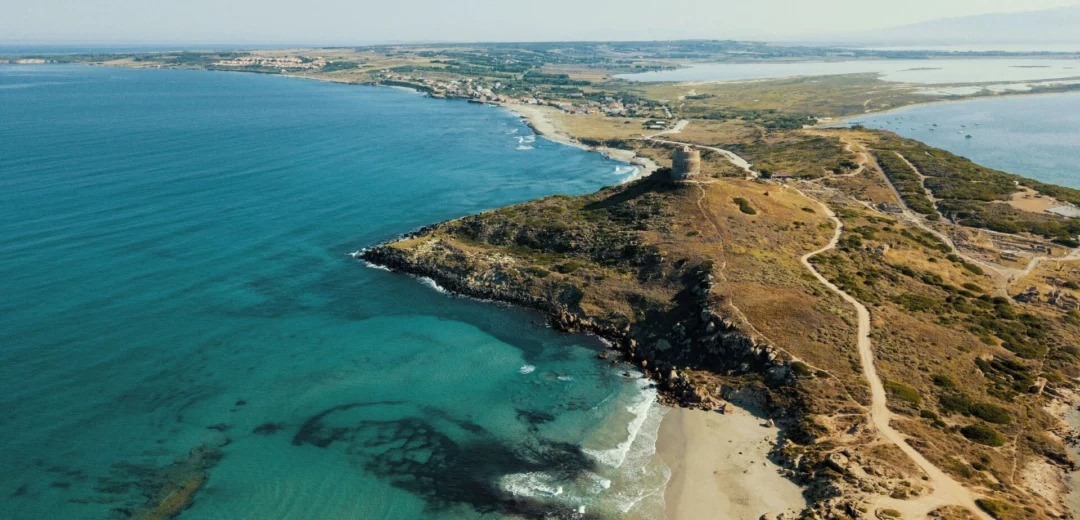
column 368, row 21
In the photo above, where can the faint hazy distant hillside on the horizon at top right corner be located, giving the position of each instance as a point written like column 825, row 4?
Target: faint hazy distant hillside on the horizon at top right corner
column 1050, row 26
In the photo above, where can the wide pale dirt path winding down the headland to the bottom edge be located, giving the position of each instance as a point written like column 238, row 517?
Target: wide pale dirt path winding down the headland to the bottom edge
column 947, row 491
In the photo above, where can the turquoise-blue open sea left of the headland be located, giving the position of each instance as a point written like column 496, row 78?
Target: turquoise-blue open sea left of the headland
column 178, row 289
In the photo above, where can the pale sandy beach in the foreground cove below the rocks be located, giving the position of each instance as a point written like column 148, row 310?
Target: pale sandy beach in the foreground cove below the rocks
column 721, row 468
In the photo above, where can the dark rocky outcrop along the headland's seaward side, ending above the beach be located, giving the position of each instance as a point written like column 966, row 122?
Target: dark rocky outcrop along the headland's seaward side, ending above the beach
column 704, row 339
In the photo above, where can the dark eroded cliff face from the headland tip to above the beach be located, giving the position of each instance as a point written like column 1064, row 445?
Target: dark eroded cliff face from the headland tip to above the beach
column 699, row 339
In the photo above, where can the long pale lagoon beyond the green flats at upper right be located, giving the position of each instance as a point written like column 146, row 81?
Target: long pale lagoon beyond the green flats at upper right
column 930, row 72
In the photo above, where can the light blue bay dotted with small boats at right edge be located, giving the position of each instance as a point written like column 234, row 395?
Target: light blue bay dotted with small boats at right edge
column 1037, row 137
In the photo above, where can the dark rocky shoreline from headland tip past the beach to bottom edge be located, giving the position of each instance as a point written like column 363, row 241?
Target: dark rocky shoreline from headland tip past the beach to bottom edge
column 779, row 398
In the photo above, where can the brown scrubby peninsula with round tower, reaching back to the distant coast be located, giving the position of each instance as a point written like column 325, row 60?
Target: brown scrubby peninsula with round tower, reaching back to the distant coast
column 906, row 317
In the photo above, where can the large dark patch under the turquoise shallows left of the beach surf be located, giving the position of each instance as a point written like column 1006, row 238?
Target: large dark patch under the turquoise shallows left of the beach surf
column 415, row 456
